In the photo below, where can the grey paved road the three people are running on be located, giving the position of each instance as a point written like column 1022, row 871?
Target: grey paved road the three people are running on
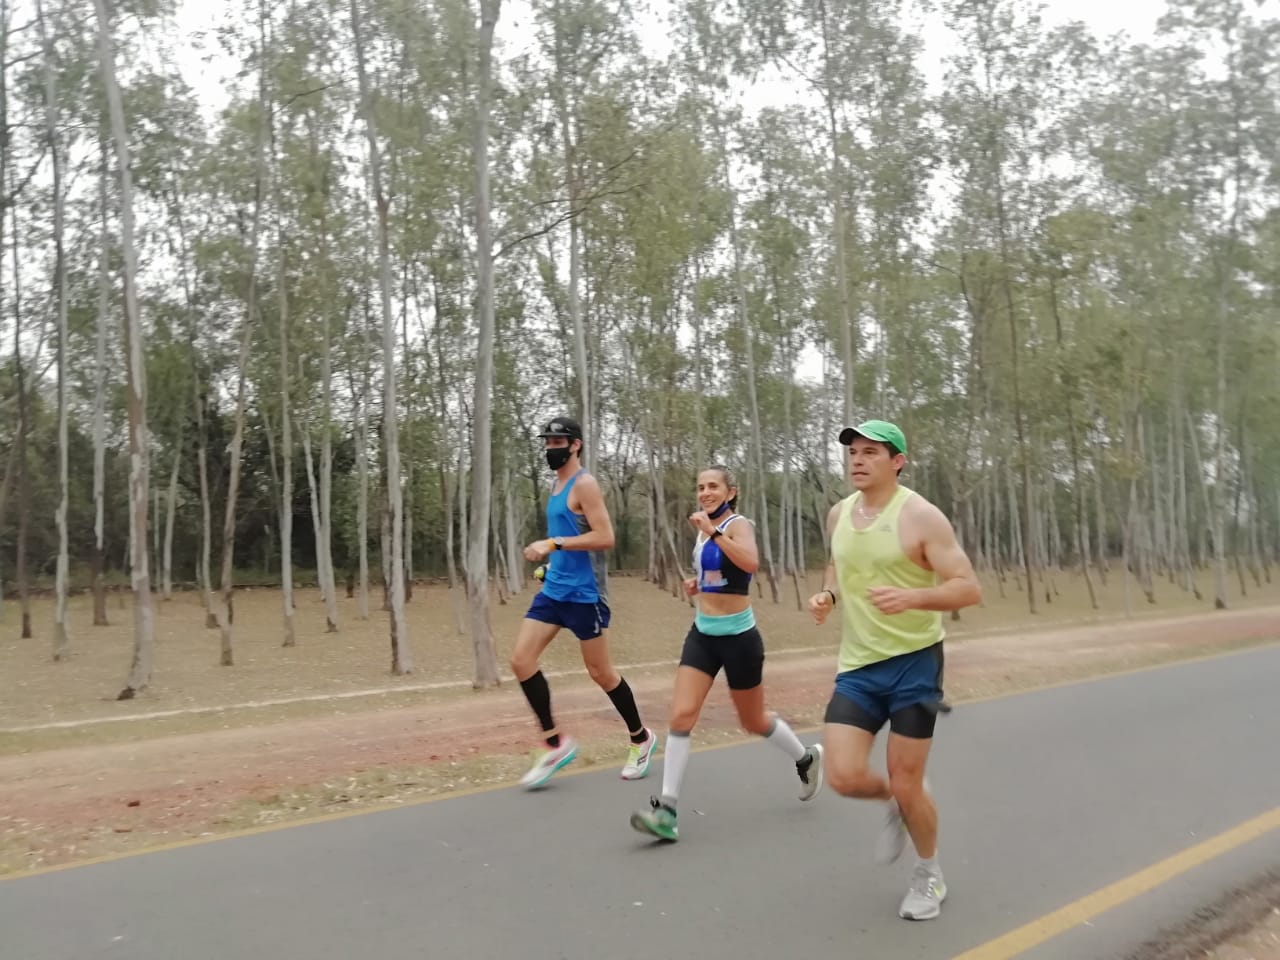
column 1045, row 797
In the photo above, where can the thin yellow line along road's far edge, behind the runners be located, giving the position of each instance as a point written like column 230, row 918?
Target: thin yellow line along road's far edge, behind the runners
column 573, row 772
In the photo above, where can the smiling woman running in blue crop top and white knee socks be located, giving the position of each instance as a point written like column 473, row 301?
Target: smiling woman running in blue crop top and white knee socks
column 724, row 636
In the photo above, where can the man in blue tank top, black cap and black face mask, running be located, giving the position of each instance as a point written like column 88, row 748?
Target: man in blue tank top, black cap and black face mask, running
column 575, row 596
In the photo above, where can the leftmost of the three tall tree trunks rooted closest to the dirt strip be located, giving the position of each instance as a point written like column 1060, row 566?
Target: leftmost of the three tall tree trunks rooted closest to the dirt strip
column 140, row 670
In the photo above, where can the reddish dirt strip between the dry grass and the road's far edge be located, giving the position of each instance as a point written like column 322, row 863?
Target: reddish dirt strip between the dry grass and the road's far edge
column 99, row 798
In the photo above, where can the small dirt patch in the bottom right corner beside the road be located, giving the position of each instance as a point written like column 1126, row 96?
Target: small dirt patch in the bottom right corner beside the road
column 1242, row 925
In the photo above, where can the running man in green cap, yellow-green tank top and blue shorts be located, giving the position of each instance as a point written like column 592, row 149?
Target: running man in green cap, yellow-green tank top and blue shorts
column 895, row 568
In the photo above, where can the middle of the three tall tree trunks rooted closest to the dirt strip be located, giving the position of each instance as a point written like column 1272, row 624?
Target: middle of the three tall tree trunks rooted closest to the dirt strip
column 403, row 661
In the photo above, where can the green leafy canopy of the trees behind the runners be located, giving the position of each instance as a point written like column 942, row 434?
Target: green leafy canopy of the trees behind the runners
column 1099, row 211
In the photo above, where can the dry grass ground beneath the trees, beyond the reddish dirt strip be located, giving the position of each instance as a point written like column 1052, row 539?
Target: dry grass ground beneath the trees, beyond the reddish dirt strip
column 648, row 629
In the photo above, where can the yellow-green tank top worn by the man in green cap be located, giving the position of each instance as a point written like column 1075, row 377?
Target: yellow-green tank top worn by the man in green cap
column 875, row 557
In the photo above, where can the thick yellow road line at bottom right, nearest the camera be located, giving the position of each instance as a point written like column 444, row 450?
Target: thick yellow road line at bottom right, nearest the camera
column 1031, row 935
